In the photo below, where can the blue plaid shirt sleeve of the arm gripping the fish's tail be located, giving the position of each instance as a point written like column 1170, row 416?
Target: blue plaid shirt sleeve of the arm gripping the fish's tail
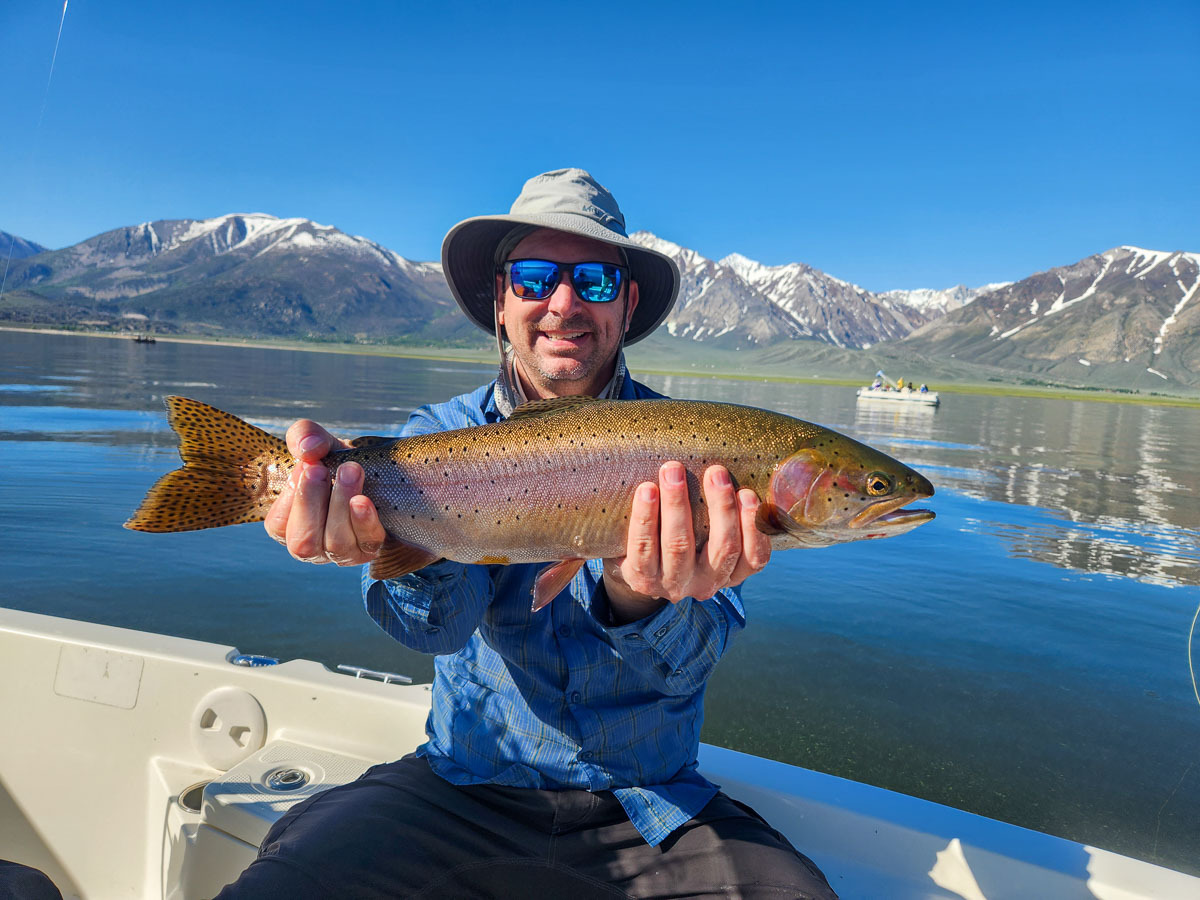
column 436, row 609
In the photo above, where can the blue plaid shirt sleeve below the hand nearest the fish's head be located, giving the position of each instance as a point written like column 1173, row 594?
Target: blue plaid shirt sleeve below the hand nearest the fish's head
column 677, row 647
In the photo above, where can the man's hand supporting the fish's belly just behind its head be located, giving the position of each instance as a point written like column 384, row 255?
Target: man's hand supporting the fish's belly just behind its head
column 662, row 561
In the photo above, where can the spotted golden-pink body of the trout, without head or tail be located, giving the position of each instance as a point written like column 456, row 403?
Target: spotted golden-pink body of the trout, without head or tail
column 559, row 482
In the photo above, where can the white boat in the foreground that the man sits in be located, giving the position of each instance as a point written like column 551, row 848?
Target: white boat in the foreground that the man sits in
column 146, row 766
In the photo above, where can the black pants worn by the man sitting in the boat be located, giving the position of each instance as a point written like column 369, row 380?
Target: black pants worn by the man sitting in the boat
column 404, row 832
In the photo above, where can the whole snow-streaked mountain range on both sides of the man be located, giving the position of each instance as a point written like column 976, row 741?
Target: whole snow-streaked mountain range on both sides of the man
column 1126, row 317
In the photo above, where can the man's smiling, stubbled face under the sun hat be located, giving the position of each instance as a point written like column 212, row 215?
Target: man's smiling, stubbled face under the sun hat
column 565, row 346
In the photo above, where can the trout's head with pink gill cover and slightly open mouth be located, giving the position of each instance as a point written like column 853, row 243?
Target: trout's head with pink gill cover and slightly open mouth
column 835, row 490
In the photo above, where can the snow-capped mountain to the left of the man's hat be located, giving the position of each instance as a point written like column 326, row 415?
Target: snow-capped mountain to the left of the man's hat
column 248, row 275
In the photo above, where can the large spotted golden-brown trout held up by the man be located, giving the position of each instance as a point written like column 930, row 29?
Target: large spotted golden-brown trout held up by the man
column 551, row 484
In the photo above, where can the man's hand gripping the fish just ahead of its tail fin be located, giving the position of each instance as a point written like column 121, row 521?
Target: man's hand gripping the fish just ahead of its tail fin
column 320, row 524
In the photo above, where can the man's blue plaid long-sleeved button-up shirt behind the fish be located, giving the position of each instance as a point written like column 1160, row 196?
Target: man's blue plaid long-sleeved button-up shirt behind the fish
column 559, row 699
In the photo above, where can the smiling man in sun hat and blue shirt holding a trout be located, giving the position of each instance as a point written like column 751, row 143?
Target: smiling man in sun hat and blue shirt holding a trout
column 562, row 745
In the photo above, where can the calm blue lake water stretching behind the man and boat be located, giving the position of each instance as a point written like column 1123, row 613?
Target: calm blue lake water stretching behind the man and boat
column 1023, row 657
